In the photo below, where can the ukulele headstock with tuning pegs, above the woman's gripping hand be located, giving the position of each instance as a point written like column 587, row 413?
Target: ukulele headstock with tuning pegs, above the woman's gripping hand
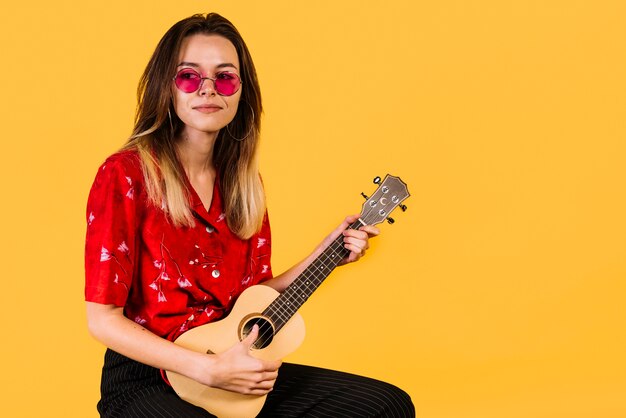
column 390, row 194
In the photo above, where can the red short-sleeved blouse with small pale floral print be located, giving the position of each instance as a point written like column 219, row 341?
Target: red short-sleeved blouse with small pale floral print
column 167, row 279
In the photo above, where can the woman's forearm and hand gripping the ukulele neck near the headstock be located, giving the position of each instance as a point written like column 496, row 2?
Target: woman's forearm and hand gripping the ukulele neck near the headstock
column 356, row 240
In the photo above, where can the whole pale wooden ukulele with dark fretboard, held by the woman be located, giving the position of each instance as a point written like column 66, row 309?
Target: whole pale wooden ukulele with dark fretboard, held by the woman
column 281, row 328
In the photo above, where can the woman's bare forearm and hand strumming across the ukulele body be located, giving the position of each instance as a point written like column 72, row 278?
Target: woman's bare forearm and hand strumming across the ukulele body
column 233, row 370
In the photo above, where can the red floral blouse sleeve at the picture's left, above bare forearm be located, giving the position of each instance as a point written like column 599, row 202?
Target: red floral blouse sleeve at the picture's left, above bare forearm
column 112, row 219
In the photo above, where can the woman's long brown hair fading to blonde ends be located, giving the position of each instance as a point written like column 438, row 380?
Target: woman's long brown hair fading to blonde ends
column 157, row 127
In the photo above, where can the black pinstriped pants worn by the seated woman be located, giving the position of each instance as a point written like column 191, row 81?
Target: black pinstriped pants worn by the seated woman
column 132, row 389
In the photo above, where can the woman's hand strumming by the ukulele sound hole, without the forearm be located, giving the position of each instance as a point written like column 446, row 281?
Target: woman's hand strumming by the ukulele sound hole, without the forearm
column 237, row 371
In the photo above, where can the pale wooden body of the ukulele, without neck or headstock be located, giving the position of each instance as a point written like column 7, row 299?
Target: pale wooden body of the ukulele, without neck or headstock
column 219, row 336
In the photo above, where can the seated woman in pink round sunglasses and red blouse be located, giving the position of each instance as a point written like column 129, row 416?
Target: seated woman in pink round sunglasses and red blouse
column 177, row 229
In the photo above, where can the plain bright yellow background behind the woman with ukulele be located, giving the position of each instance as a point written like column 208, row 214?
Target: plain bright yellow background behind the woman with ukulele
column 499, row 293
